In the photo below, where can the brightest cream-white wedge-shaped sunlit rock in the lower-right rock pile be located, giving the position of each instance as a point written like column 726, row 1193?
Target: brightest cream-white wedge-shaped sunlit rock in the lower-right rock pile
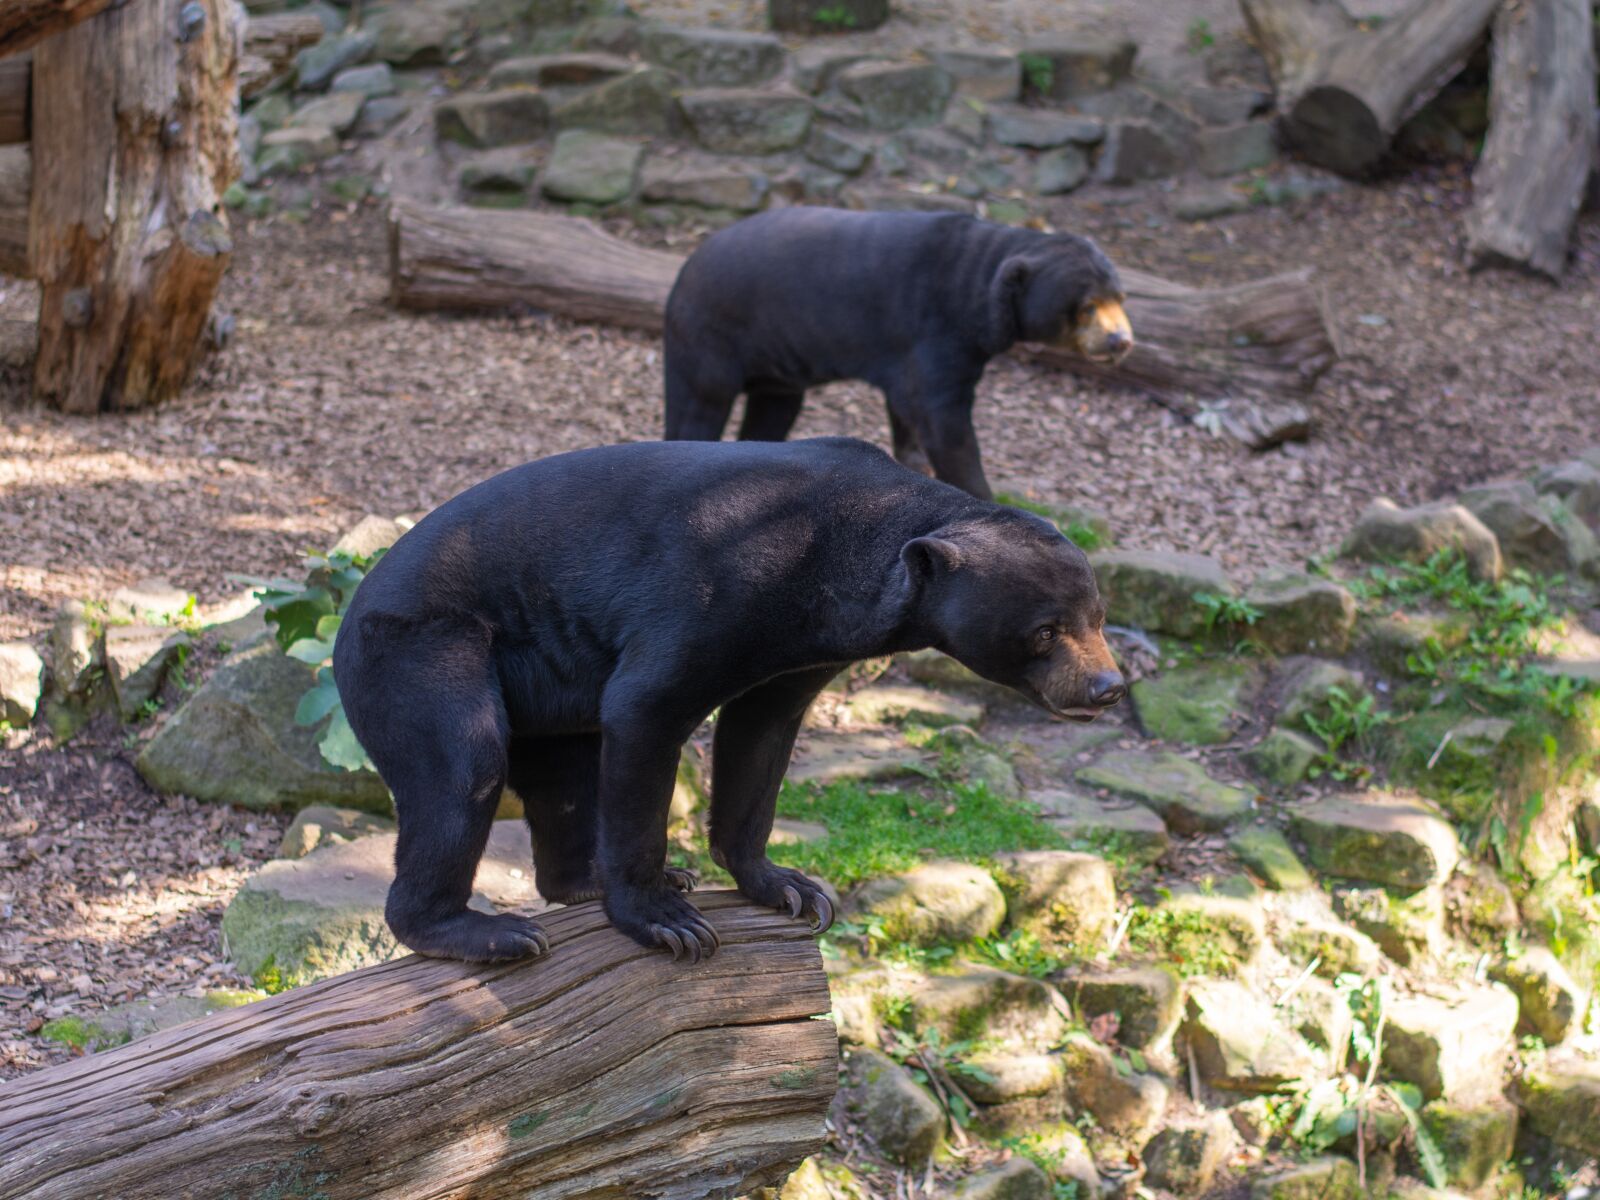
column 1239, row 1046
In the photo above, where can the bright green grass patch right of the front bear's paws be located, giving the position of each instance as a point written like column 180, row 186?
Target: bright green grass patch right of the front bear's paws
column 884, row 831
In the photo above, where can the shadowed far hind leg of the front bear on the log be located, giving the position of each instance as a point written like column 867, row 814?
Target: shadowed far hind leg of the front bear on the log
column 559, row 785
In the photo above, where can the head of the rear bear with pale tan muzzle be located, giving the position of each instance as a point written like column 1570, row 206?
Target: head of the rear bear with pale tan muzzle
column 1065, row 292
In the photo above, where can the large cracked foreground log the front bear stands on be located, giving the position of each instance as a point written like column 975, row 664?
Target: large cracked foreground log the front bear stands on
column 602, row 1071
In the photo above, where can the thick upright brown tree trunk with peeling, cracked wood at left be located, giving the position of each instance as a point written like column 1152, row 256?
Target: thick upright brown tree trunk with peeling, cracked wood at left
column 129, row 238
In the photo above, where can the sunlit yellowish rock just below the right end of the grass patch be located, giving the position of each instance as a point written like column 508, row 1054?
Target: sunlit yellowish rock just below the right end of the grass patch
column 1063, row 897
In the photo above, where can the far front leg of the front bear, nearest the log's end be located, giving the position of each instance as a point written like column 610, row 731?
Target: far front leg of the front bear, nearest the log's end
column 756, row 735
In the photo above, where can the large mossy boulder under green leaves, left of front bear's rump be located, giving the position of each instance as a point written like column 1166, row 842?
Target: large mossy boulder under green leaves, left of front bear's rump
column 236, row 742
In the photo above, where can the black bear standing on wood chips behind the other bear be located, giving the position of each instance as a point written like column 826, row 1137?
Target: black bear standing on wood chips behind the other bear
column 913, row 303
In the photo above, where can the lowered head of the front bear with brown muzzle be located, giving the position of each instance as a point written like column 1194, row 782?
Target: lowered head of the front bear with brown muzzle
column 1017, row 602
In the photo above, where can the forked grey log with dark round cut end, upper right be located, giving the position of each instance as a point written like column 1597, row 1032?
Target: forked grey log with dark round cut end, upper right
column 1342, row 105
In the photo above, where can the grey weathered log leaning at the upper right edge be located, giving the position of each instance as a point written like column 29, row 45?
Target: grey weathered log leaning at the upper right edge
column 1530, row 183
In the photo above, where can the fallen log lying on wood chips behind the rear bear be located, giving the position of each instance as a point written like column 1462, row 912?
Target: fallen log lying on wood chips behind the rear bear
column 1193, row 345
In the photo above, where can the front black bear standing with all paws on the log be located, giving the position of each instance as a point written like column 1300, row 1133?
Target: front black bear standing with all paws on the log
column 564, row 628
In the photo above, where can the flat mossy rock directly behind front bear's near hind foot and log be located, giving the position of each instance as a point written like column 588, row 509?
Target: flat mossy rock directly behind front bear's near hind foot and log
column 297, row 921
